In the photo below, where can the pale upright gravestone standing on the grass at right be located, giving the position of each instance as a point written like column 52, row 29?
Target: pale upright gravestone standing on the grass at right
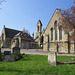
column 52, row 58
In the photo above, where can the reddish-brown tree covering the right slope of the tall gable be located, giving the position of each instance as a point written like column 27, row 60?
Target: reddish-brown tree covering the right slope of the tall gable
column 68, row 21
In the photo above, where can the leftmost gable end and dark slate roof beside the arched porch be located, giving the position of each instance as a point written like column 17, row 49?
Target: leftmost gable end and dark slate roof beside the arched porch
column 6, row 37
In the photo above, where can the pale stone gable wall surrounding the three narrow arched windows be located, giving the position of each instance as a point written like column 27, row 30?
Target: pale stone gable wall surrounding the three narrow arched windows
column 62, row 47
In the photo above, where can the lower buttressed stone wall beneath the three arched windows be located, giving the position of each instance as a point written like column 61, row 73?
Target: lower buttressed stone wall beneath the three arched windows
column 60, row 47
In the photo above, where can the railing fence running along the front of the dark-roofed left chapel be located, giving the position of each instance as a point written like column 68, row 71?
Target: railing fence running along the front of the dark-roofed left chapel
column 28, row 45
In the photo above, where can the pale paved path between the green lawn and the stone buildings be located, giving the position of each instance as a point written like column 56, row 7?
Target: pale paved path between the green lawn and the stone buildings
column 35, row 51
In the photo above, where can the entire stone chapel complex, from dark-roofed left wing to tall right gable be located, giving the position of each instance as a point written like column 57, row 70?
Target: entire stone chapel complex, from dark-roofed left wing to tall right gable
column 52, row 38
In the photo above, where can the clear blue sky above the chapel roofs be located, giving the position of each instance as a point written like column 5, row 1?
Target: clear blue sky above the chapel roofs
column 19, row 14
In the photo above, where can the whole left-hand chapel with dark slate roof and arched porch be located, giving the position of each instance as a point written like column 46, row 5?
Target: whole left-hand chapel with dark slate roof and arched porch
column 12, row 38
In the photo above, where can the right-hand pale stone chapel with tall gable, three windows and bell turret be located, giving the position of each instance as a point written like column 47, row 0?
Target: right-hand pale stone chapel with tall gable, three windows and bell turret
column 54, row 38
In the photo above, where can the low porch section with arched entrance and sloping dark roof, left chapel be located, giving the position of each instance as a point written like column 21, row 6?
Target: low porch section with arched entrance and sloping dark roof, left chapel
column 23, row 40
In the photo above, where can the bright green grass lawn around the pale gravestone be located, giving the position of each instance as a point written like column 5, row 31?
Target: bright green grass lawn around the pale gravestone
column 37, row 65
